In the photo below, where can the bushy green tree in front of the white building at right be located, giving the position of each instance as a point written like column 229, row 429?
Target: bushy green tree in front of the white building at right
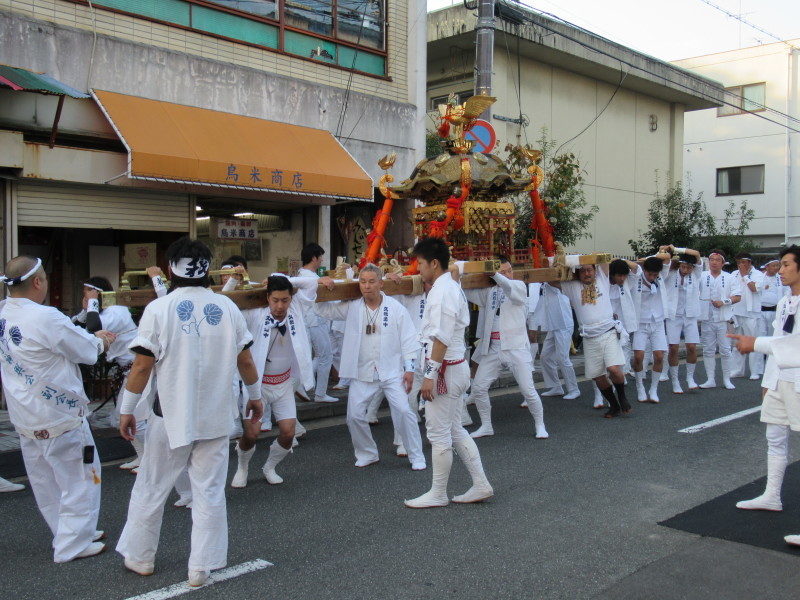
column 679, row 217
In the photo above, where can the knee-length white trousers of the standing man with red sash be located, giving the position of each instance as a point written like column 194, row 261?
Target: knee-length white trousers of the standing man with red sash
column 443, row 413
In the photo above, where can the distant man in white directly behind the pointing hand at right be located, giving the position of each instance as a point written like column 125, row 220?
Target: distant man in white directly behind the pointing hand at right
column 747, row 311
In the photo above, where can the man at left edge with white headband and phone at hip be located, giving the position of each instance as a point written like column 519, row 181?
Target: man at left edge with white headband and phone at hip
column 40, row 350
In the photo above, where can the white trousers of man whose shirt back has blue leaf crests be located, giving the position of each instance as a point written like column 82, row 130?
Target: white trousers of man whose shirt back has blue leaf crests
column 207, row 462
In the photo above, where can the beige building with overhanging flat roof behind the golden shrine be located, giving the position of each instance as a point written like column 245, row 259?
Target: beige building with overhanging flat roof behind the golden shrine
column 619, row 111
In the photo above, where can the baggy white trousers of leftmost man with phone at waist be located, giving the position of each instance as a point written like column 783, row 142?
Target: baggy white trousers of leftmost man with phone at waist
column 65, row 488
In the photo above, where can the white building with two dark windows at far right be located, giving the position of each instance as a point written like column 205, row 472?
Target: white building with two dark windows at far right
column 749, row 148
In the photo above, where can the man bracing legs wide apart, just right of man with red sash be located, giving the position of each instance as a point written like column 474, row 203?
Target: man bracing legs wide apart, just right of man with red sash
column 503, row 343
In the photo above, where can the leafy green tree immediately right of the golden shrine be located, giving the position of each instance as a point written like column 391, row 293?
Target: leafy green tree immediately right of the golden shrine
column 566, row 206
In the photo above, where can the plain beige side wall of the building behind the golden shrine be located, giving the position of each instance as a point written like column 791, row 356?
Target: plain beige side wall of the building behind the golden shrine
column 622, row 159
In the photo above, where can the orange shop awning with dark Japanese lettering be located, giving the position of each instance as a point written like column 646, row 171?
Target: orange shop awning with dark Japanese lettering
column 190, row 145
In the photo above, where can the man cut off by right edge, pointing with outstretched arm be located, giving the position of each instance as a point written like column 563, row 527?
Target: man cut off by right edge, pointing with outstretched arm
column 780, row 408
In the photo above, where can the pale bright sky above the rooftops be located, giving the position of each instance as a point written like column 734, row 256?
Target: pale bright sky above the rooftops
column 676, row 29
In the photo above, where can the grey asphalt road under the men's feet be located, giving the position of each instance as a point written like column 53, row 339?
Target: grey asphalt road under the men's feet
column 574, row 516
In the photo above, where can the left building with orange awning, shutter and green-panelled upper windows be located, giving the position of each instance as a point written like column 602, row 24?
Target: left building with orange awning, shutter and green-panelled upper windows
column 265, row 116
